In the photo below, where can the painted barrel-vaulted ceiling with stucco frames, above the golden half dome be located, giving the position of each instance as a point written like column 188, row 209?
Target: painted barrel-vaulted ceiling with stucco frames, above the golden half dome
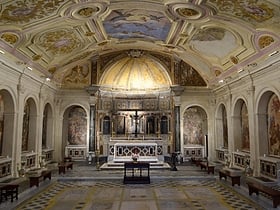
column 73, row 42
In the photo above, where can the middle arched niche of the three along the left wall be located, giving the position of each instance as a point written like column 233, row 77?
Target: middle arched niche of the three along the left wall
column 29, row 126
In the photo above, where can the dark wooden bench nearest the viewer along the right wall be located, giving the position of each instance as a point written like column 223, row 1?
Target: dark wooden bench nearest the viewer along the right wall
column 255, row 187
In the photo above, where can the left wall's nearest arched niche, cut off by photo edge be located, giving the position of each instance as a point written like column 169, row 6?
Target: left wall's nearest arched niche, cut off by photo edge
column 7, row 118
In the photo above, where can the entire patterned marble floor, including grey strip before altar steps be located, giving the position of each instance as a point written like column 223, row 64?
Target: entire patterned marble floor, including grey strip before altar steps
column 87, row 188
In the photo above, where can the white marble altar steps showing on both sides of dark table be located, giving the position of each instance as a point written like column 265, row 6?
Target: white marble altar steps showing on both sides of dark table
column 119, row 165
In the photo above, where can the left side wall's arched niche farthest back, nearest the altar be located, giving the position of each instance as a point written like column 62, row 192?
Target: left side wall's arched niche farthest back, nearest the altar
column 47, row 132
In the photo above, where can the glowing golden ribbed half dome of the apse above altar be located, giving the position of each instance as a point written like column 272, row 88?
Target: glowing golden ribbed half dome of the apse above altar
column 135, row 74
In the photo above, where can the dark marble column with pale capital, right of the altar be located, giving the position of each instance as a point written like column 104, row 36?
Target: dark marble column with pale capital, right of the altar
column 177, row 90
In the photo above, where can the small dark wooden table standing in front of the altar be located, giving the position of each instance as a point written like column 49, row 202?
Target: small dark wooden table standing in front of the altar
column 136, row 173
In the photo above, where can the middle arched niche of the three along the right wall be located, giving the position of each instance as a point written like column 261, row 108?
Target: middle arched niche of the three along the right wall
column 241, row 126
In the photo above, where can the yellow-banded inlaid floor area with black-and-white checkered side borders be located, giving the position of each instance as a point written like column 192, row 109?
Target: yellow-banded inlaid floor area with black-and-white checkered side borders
column 159, row 195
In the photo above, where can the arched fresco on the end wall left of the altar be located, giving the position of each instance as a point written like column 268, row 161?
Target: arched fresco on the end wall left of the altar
column 77, row 126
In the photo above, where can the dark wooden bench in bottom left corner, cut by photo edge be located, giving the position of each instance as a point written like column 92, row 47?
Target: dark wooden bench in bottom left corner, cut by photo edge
column 8, row 190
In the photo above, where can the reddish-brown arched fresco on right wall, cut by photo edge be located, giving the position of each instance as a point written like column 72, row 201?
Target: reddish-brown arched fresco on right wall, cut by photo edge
column 274, row 125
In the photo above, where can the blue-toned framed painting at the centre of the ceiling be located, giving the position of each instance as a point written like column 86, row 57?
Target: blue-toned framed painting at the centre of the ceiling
column 137, row 23
